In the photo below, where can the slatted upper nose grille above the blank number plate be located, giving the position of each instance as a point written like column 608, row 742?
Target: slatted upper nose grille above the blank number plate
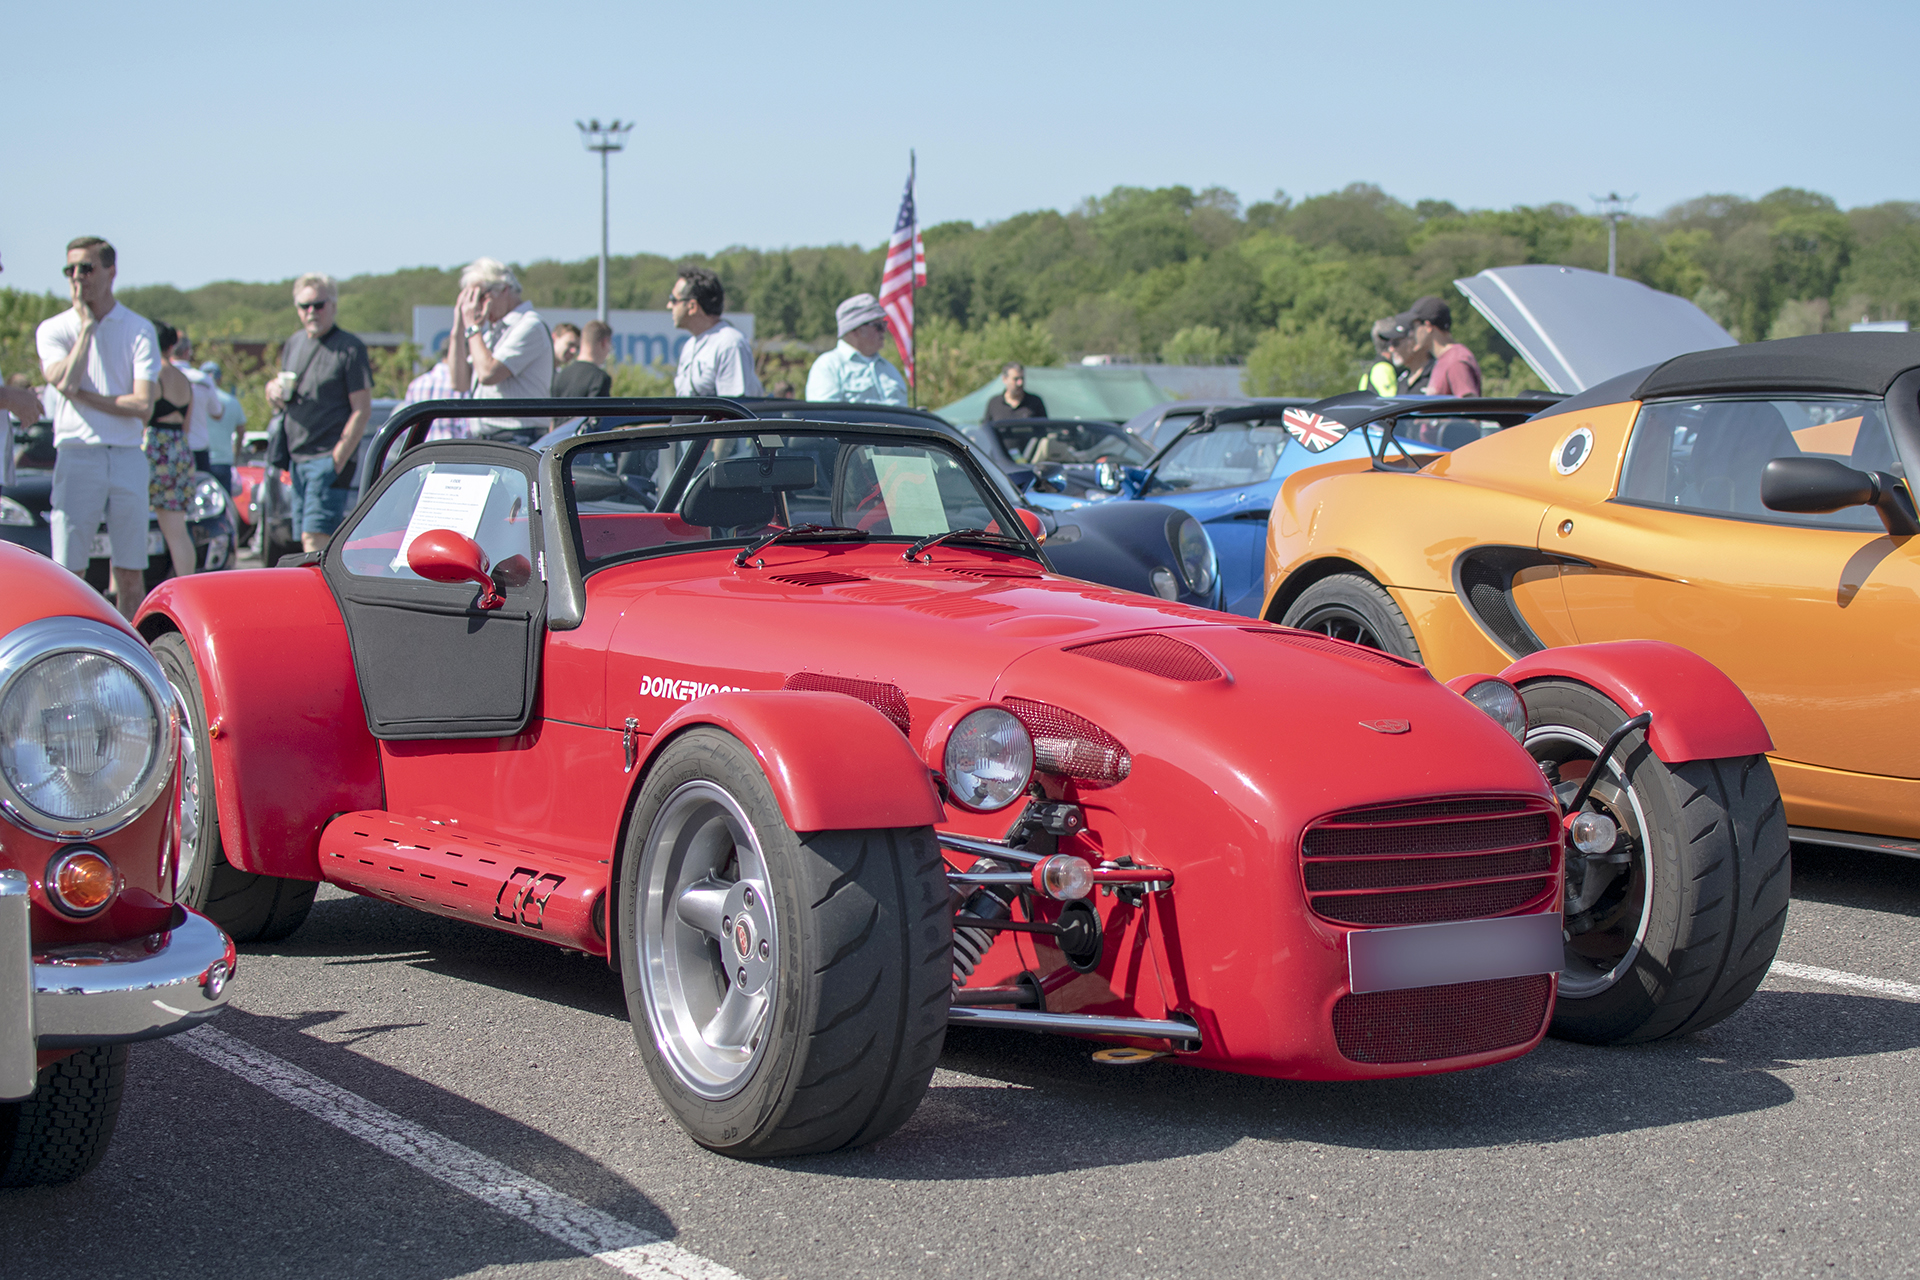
column 1431, row 861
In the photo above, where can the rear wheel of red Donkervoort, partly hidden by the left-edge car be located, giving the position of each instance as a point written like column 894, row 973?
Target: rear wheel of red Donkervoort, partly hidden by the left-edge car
column 251, row 909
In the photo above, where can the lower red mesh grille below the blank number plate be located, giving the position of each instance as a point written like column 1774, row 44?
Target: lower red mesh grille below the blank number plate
column 1431, row 1024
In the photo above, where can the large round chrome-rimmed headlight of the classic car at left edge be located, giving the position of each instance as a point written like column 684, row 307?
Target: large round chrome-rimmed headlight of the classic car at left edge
column 87, row 728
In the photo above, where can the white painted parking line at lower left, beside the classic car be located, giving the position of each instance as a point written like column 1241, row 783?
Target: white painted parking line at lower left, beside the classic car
column 573, row 1223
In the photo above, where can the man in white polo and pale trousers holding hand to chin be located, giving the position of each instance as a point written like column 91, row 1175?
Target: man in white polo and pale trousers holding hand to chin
column 103, row 369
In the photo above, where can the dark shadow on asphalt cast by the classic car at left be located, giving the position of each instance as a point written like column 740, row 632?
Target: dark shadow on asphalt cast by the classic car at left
column 247, row 1185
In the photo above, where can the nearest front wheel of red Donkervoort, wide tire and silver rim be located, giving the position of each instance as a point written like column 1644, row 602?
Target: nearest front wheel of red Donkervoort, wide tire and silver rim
column 788, row 991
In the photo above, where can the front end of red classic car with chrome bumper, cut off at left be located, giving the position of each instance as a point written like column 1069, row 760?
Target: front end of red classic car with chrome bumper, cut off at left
column 95, row 953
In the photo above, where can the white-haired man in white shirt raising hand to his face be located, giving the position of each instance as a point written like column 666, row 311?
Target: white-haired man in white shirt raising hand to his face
column 502, row 350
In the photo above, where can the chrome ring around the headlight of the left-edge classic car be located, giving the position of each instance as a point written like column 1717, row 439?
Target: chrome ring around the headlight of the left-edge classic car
column 49, row 638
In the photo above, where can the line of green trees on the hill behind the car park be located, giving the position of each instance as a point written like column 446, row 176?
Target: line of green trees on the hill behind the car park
column 1289, row 289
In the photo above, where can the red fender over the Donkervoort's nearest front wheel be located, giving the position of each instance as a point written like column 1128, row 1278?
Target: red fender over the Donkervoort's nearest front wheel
column 834, row 763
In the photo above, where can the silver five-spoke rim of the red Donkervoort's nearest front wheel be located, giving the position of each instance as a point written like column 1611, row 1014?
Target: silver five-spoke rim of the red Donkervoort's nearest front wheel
column 709, row 949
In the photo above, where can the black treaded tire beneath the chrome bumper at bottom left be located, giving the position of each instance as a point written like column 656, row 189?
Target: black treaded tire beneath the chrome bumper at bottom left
column 64, row 1129
